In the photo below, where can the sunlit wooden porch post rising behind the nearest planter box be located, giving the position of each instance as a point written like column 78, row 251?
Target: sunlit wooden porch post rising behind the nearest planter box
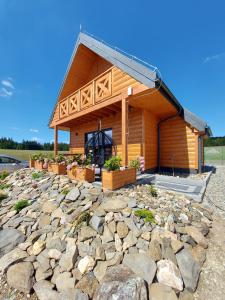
column 124, row 132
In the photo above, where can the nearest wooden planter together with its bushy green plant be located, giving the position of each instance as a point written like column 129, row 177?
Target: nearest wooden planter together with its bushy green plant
column 114, row 176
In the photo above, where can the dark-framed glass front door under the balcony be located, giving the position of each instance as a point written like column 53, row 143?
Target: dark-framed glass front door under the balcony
column 99, row 144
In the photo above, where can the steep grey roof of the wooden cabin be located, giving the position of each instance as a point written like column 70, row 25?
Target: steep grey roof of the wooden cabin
column 136, row 69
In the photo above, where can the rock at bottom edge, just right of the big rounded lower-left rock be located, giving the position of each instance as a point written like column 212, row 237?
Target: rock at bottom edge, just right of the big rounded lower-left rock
column 44, row 291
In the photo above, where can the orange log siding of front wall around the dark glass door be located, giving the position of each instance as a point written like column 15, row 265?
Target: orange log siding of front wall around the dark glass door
column 134, row 134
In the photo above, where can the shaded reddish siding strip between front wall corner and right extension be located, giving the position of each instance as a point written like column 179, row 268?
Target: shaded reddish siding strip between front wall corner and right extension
column 150, row 123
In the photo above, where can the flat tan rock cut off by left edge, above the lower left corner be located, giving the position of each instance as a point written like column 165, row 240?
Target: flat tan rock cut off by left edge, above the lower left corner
column 10, row 258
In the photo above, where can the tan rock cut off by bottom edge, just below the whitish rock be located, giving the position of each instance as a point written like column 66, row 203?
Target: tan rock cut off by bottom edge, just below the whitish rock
column 159, row 291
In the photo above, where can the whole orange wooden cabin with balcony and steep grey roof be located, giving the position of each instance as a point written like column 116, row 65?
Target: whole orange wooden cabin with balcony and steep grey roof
column 108, row 91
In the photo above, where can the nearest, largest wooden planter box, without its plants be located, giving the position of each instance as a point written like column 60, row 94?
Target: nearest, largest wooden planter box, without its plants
column 116, row 179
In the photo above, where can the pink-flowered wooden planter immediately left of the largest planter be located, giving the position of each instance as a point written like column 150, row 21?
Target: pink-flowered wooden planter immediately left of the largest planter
column 80, row 168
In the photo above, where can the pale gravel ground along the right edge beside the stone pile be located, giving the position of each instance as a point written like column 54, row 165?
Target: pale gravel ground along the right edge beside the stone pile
column 212, row 279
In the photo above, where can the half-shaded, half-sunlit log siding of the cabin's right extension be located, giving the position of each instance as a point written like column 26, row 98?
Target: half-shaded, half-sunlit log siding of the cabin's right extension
column 178, row 145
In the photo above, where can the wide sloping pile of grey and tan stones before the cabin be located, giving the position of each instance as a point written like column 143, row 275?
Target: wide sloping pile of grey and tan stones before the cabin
column 75, row 241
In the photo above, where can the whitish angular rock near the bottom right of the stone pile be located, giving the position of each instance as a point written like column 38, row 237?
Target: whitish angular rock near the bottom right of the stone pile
column 169, row 274
